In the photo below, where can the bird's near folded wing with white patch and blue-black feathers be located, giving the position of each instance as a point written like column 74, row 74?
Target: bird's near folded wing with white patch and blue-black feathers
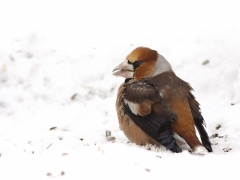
column 147, row 109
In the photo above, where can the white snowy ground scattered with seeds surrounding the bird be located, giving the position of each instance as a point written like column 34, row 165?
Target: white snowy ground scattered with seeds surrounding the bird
column 57, row 92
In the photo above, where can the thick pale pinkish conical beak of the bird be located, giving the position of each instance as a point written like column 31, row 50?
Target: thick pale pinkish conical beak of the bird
column 124, row 69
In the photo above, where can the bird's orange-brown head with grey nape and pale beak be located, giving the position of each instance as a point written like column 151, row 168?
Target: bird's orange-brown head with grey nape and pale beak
column 141, row 63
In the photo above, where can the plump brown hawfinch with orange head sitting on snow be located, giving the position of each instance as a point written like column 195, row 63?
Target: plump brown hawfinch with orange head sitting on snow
column 153, row 104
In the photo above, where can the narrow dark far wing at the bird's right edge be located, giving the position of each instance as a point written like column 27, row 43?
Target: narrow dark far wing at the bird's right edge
column 199, row 122
